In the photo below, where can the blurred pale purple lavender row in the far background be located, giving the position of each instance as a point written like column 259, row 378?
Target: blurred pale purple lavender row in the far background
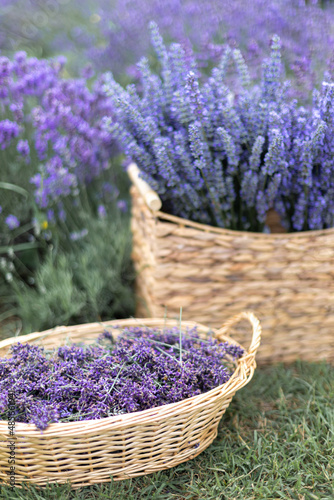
column 114, row 35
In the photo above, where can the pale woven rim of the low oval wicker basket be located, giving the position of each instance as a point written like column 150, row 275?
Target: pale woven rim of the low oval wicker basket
column 240, row 377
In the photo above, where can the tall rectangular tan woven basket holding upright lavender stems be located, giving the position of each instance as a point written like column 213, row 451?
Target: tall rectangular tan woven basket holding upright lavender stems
column 286, row 279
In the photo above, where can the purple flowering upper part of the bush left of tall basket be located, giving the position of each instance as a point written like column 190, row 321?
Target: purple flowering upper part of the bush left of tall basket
column 53, row 147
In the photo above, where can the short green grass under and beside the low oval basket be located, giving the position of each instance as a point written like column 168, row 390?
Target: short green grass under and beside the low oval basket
column 276, row 441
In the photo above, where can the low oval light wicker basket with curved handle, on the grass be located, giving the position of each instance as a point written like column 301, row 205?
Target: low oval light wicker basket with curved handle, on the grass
column 124, row 446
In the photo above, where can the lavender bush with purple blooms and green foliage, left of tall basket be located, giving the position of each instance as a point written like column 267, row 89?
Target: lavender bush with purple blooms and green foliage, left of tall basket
column 60, row 190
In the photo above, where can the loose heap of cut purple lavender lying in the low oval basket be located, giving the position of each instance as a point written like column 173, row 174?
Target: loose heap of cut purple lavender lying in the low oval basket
column 141, row 369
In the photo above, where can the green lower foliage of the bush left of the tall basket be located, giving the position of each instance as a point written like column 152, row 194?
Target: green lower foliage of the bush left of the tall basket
column 69, row 271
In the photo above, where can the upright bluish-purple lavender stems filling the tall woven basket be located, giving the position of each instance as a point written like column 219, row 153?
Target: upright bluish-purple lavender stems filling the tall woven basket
column 225, row 157
